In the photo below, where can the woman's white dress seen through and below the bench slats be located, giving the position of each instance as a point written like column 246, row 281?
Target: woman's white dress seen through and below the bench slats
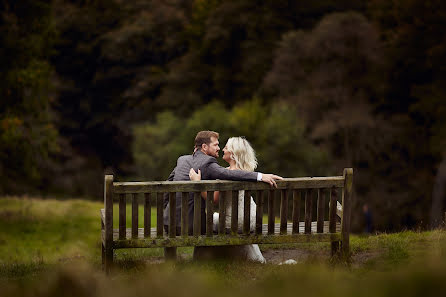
column 252, row 251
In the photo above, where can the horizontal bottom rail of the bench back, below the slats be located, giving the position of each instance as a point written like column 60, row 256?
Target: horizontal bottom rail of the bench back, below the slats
column 224, row 240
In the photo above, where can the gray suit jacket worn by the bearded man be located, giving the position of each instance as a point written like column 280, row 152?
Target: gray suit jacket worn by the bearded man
column 209, row 170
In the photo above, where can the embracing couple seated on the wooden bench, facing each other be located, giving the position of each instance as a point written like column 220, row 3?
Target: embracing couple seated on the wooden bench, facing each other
column 202, row 165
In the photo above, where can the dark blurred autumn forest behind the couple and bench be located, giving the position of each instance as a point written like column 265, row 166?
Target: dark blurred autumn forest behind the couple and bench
column 118, row 86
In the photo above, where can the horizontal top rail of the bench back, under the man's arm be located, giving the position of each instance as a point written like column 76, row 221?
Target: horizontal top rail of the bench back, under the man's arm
column 222, row 185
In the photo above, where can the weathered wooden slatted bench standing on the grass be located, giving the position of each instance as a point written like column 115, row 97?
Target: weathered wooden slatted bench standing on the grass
column 322, row 189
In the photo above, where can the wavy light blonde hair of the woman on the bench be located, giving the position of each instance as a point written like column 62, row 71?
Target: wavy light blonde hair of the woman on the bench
column 242, row 153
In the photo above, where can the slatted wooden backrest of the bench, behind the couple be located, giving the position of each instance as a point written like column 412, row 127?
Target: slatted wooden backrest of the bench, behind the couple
column 294, row 188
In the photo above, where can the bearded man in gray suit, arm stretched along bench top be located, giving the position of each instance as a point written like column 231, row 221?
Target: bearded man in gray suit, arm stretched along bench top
column 204, row 159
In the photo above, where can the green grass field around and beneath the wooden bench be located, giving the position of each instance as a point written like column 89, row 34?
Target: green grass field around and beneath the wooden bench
column 52, row 248
